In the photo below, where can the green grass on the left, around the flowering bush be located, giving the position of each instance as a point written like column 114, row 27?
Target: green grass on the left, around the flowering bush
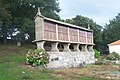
column 12, row 66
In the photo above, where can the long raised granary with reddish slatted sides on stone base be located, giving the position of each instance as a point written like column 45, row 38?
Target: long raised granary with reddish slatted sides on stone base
column 68, row 45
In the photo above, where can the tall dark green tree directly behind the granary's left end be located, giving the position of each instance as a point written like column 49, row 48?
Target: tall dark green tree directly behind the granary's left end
column 23, row 12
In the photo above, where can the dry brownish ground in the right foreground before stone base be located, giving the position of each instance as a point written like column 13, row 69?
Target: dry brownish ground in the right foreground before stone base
column 98, row 71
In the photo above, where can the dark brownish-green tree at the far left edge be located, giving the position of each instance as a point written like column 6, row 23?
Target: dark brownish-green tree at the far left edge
column 4, row 20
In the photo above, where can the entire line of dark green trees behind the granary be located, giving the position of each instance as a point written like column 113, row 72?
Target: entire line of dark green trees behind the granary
column 17, row 22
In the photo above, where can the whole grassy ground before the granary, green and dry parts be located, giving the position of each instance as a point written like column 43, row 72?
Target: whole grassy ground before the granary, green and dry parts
column 13, row 67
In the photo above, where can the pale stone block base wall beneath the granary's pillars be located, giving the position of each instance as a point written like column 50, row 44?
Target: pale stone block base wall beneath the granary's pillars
column 70, row 59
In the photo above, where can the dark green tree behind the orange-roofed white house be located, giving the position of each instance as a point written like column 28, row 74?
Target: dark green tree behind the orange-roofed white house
column 111, row 31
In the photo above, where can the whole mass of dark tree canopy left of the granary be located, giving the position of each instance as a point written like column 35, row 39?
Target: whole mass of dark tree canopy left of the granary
column 20, row 14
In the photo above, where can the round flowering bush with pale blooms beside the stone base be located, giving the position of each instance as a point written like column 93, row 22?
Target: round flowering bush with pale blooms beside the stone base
column 37, row 57
